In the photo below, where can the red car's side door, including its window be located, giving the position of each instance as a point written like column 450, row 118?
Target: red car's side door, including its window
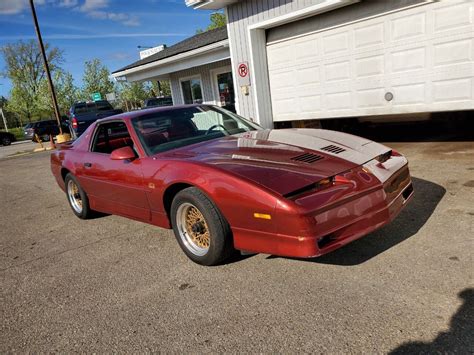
column 114, row 186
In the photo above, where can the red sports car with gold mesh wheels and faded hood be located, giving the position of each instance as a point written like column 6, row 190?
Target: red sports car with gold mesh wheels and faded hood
column 223, row 183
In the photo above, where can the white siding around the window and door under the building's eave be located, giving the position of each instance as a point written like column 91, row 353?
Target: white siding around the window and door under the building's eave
column 206, row 81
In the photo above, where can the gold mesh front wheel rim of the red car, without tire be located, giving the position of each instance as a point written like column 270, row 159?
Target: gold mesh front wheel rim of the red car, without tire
column 193, row 229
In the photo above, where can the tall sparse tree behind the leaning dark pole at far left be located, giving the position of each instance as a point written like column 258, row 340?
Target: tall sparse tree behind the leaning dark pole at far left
column 25, row 69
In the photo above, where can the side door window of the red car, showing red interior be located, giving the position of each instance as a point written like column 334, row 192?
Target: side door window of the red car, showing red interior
column 111, row 136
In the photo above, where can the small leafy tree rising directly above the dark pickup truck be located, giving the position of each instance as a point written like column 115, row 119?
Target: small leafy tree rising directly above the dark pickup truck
column 96, row 79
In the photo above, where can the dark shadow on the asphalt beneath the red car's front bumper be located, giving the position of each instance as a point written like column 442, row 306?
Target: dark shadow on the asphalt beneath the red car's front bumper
column 425, row 199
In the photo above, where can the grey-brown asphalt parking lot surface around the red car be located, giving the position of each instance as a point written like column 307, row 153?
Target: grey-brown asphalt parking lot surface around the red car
column 112, row 284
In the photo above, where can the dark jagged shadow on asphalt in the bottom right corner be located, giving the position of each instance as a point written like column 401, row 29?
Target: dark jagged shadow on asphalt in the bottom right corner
column 459, row 339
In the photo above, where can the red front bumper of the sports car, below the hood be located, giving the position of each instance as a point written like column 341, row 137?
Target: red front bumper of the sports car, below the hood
column 322, row 240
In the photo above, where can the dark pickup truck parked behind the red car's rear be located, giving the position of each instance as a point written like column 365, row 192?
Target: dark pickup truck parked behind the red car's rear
column 83, row 114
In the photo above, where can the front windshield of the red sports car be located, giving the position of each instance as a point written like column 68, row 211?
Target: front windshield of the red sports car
column 179, row 127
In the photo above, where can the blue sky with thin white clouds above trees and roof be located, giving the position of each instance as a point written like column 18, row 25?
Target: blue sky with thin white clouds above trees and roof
column 109, row 30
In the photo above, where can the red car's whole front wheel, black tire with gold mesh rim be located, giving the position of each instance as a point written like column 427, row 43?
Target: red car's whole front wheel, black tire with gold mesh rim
column 200, row 228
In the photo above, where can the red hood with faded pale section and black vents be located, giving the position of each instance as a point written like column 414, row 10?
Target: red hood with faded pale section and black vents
column 284, row 160
